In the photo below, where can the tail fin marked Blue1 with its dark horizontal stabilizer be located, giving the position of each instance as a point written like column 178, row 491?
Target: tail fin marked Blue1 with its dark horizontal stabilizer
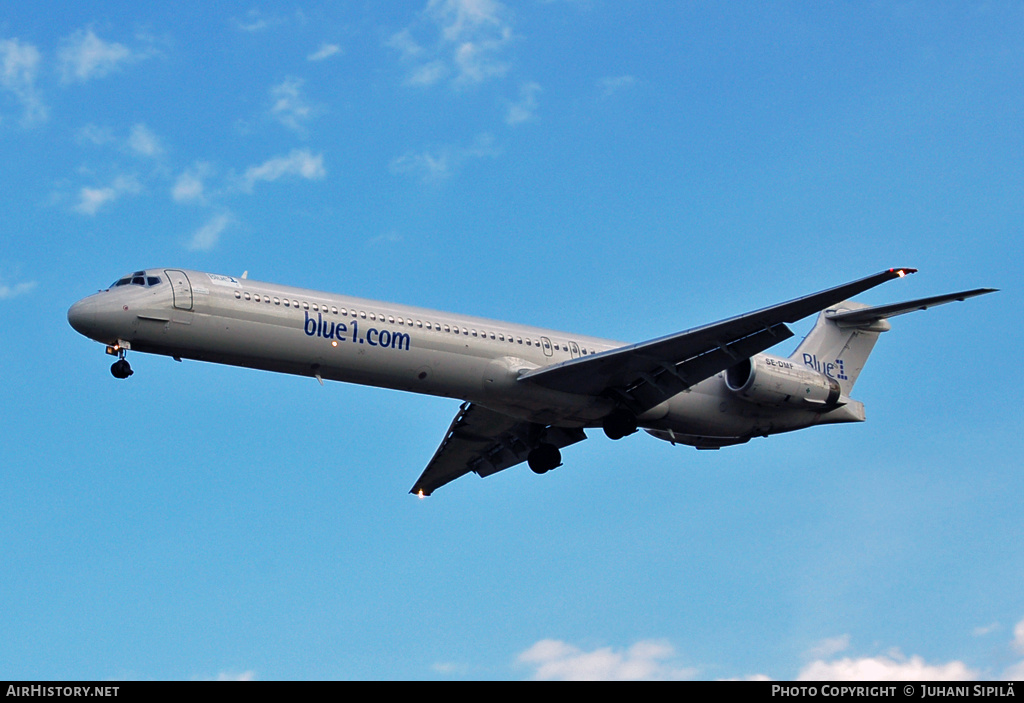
column 844, row 335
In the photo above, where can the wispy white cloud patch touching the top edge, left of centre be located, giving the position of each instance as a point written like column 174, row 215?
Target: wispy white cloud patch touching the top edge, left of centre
column 470, row 38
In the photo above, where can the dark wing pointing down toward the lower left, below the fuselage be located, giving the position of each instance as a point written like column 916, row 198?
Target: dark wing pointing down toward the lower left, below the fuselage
column 487, row 443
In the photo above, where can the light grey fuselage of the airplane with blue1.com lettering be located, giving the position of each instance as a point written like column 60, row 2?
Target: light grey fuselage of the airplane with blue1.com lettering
column 245, row 323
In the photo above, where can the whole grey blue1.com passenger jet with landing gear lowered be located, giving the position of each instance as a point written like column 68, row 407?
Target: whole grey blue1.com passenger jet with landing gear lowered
column 528, row 392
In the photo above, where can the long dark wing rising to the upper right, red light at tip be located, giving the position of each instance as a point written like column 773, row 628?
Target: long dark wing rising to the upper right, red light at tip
column 642, row 376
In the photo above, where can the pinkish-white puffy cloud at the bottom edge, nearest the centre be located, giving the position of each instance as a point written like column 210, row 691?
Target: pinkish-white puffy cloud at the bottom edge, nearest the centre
column 647, row 661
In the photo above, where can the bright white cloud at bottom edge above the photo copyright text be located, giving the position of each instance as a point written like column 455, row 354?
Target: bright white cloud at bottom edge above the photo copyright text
column 886, row 669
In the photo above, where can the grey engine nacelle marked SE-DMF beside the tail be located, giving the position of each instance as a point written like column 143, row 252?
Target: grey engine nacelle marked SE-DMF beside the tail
column 772, row 381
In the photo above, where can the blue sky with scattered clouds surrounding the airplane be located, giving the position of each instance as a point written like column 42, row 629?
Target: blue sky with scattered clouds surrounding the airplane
column 625, row 170
